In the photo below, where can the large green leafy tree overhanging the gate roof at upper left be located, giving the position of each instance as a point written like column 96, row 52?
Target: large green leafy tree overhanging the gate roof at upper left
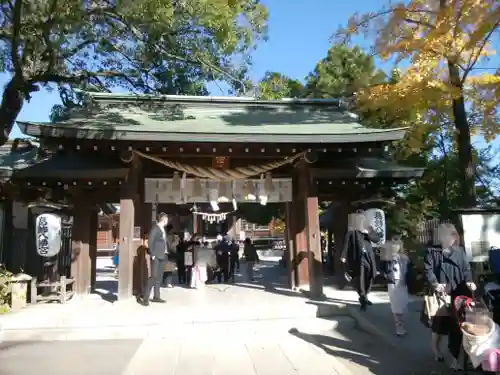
column 144, row 45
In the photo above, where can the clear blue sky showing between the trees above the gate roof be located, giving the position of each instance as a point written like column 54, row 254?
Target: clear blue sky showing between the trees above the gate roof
column 299, row 33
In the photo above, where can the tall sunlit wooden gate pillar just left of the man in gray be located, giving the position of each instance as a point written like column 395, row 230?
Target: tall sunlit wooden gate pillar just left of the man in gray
column 128, row 196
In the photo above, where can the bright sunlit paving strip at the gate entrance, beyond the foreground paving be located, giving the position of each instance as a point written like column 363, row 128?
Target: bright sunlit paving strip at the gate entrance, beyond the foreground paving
column 95, row 316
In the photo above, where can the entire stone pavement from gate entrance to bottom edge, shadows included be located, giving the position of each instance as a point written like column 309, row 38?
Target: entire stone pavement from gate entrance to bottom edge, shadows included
column 248, row 328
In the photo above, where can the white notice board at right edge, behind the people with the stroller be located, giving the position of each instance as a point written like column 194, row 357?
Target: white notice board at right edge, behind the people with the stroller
column 481, row 232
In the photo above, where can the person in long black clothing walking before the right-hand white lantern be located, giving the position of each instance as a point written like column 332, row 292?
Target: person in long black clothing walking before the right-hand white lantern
column 359, row 257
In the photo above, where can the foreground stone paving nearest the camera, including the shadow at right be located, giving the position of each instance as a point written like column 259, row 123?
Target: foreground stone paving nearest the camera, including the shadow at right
column 281, row 347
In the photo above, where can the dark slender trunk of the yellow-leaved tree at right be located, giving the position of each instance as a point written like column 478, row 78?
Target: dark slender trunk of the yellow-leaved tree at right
column 467, row 169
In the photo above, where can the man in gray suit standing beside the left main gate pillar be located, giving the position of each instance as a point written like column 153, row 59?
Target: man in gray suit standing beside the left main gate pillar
column 157, row 250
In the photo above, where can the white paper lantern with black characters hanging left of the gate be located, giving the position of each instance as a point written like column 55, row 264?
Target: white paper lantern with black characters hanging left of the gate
column 48, row 235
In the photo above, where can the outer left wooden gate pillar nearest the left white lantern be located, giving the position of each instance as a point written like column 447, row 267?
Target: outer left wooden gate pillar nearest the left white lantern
column 80, row 249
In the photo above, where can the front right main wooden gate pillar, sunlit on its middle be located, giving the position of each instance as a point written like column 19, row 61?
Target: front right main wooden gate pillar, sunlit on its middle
column 311, row 232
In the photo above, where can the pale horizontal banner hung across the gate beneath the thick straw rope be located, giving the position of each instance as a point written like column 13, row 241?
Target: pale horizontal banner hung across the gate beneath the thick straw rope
column 159, row 190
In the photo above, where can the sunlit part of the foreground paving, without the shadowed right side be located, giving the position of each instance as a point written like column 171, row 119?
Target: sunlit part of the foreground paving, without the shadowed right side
column 252, row 348
